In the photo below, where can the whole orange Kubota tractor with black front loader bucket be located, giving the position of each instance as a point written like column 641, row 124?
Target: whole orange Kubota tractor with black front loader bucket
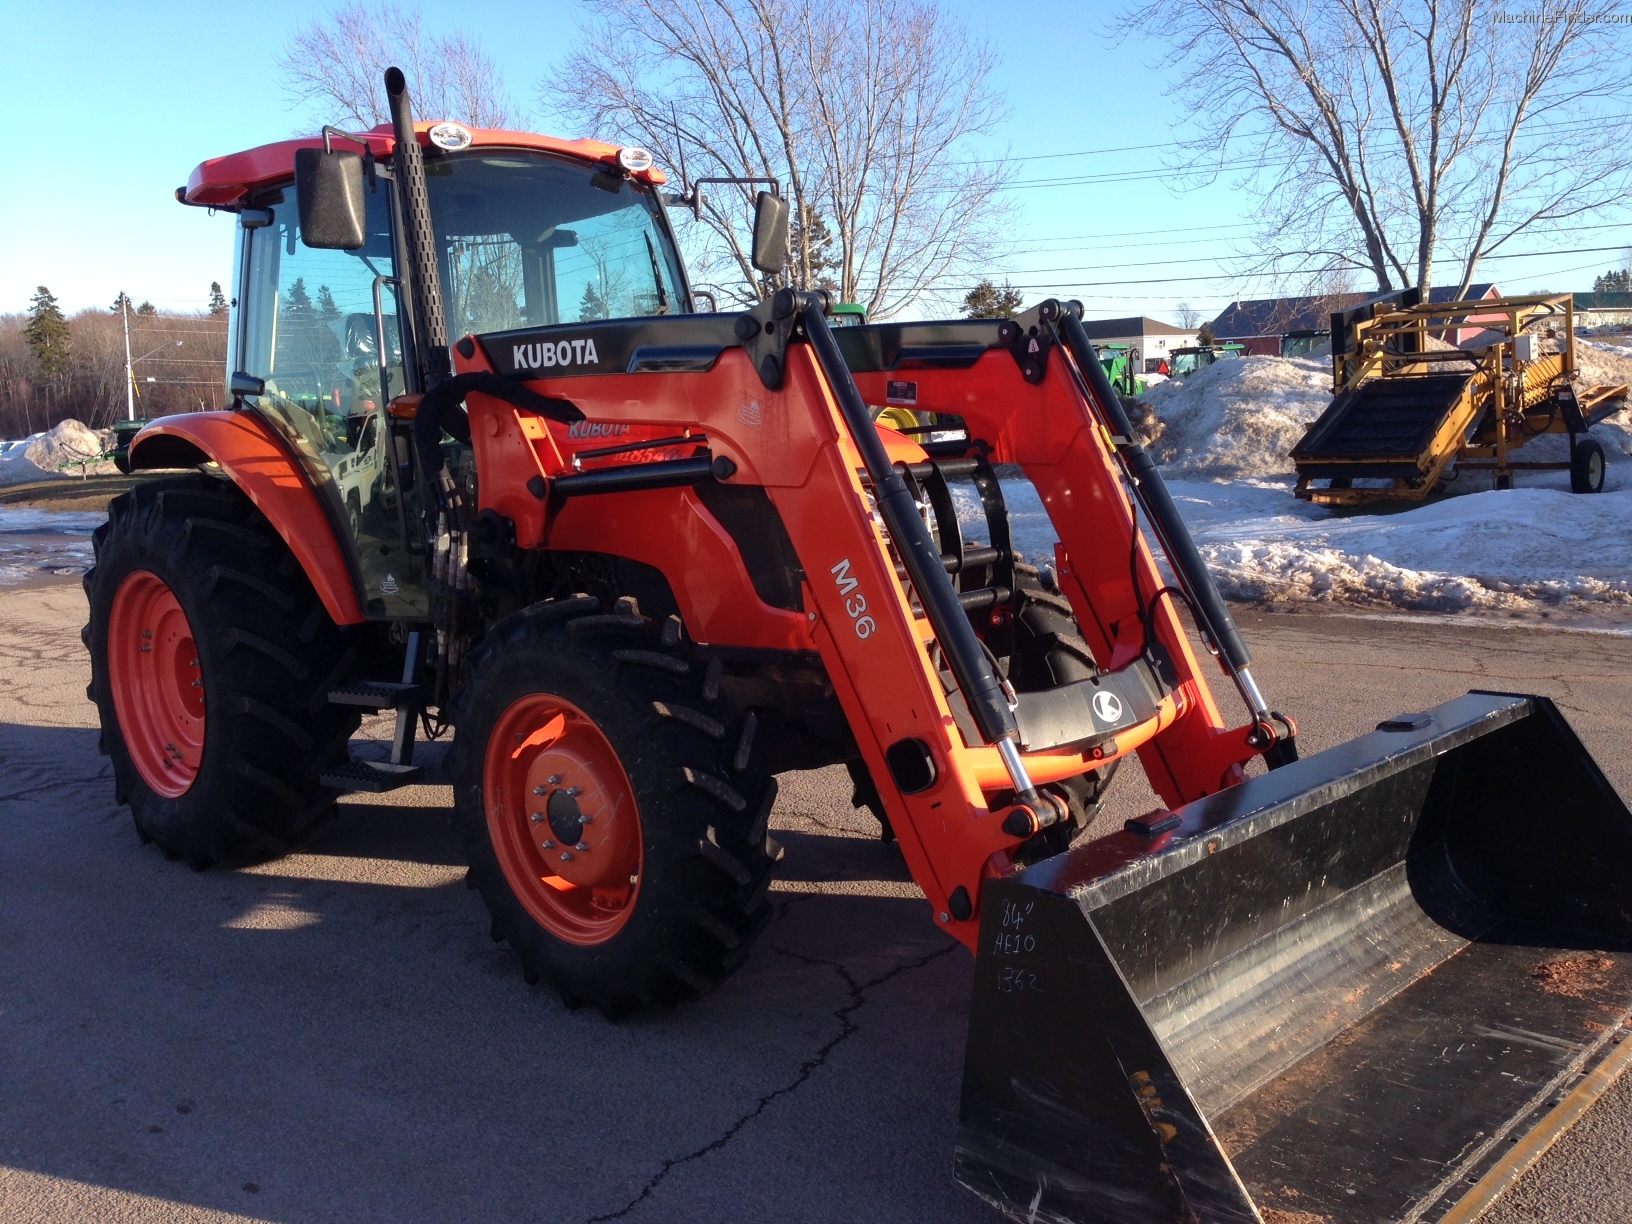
column 644, row 559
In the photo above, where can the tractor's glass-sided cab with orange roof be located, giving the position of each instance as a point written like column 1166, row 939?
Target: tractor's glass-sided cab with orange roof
column 528, row 233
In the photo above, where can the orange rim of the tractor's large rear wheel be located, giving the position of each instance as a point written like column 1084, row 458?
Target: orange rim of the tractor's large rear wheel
column 157, row 685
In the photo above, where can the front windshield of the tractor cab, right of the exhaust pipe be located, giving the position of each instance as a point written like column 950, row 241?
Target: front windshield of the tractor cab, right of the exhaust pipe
column 530, row 241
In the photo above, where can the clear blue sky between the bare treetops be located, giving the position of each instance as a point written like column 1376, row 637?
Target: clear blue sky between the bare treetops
column 113, row 105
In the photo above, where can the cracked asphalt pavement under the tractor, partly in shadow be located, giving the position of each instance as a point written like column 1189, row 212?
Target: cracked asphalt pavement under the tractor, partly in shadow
column 334, row 1037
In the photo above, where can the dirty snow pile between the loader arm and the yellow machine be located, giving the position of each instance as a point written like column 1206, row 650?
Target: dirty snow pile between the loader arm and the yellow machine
column 1240, row 419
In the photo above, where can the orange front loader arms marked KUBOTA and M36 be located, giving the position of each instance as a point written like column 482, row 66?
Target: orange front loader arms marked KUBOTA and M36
column 949, row 792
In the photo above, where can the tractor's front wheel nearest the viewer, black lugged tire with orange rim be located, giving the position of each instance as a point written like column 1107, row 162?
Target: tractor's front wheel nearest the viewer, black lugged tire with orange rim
column 608, row 805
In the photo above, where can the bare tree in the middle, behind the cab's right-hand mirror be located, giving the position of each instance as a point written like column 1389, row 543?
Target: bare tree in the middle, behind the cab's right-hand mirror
column 863, row 110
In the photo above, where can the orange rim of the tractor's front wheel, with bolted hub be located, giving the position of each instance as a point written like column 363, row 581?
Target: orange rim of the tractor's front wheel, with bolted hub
column 562, row 818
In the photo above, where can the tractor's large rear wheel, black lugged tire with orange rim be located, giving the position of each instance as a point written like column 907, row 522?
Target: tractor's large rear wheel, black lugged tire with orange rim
column 211, row 667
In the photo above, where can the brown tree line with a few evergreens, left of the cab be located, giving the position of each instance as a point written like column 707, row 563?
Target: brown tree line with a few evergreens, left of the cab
column 56, row 366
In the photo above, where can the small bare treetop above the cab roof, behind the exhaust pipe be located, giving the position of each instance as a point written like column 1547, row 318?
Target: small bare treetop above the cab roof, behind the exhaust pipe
column 337, row 64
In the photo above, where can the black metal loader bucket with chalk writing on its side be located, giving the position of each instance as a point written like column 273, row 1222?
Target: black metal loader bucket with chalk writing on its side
column 1370, row 987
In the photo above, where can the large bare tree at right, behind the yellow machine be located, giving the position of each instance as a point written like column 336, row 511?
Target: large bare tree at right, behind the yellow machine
column 1385, row 133
